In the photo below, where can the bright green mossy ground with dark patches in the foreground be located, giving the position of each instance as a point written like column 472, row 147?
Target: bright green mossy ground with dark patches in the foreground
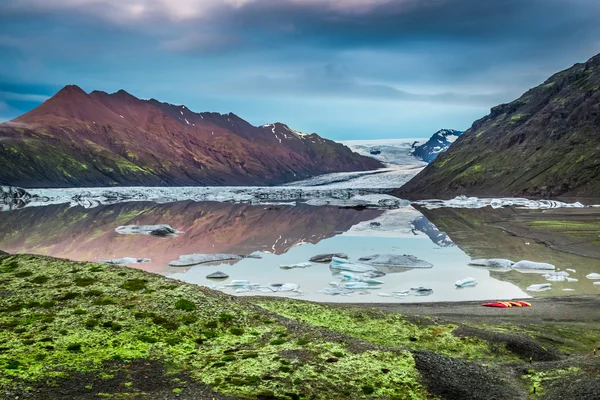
column 75, row 330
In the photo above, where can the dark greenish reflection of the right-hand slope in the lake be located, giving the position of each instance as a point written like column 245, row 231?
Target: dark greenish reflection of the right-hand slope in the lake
column 567, row 238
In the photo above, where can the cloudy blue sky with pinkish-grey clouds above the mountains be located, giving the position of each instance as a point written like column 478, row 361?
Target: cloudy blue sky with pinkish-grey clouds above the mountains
column 346, row 69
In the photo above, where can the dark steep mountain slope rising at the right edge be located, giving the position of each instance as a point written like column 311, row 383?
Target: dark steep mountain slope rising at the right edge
column 546, row 143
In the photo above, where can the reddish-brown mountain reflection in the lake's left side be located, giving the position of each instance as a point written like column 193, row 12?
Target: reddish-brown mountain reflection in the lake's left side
column 208, row 227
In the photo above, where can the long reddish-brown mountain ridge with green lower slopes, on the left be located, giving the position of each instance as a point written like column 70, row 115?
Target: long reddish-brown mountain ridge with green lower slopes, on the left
column 100, row 139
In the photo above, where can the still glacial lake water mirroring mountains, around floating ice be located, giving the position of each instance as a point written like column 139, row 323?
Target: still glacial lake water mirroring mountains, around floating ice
column 292, row 232
